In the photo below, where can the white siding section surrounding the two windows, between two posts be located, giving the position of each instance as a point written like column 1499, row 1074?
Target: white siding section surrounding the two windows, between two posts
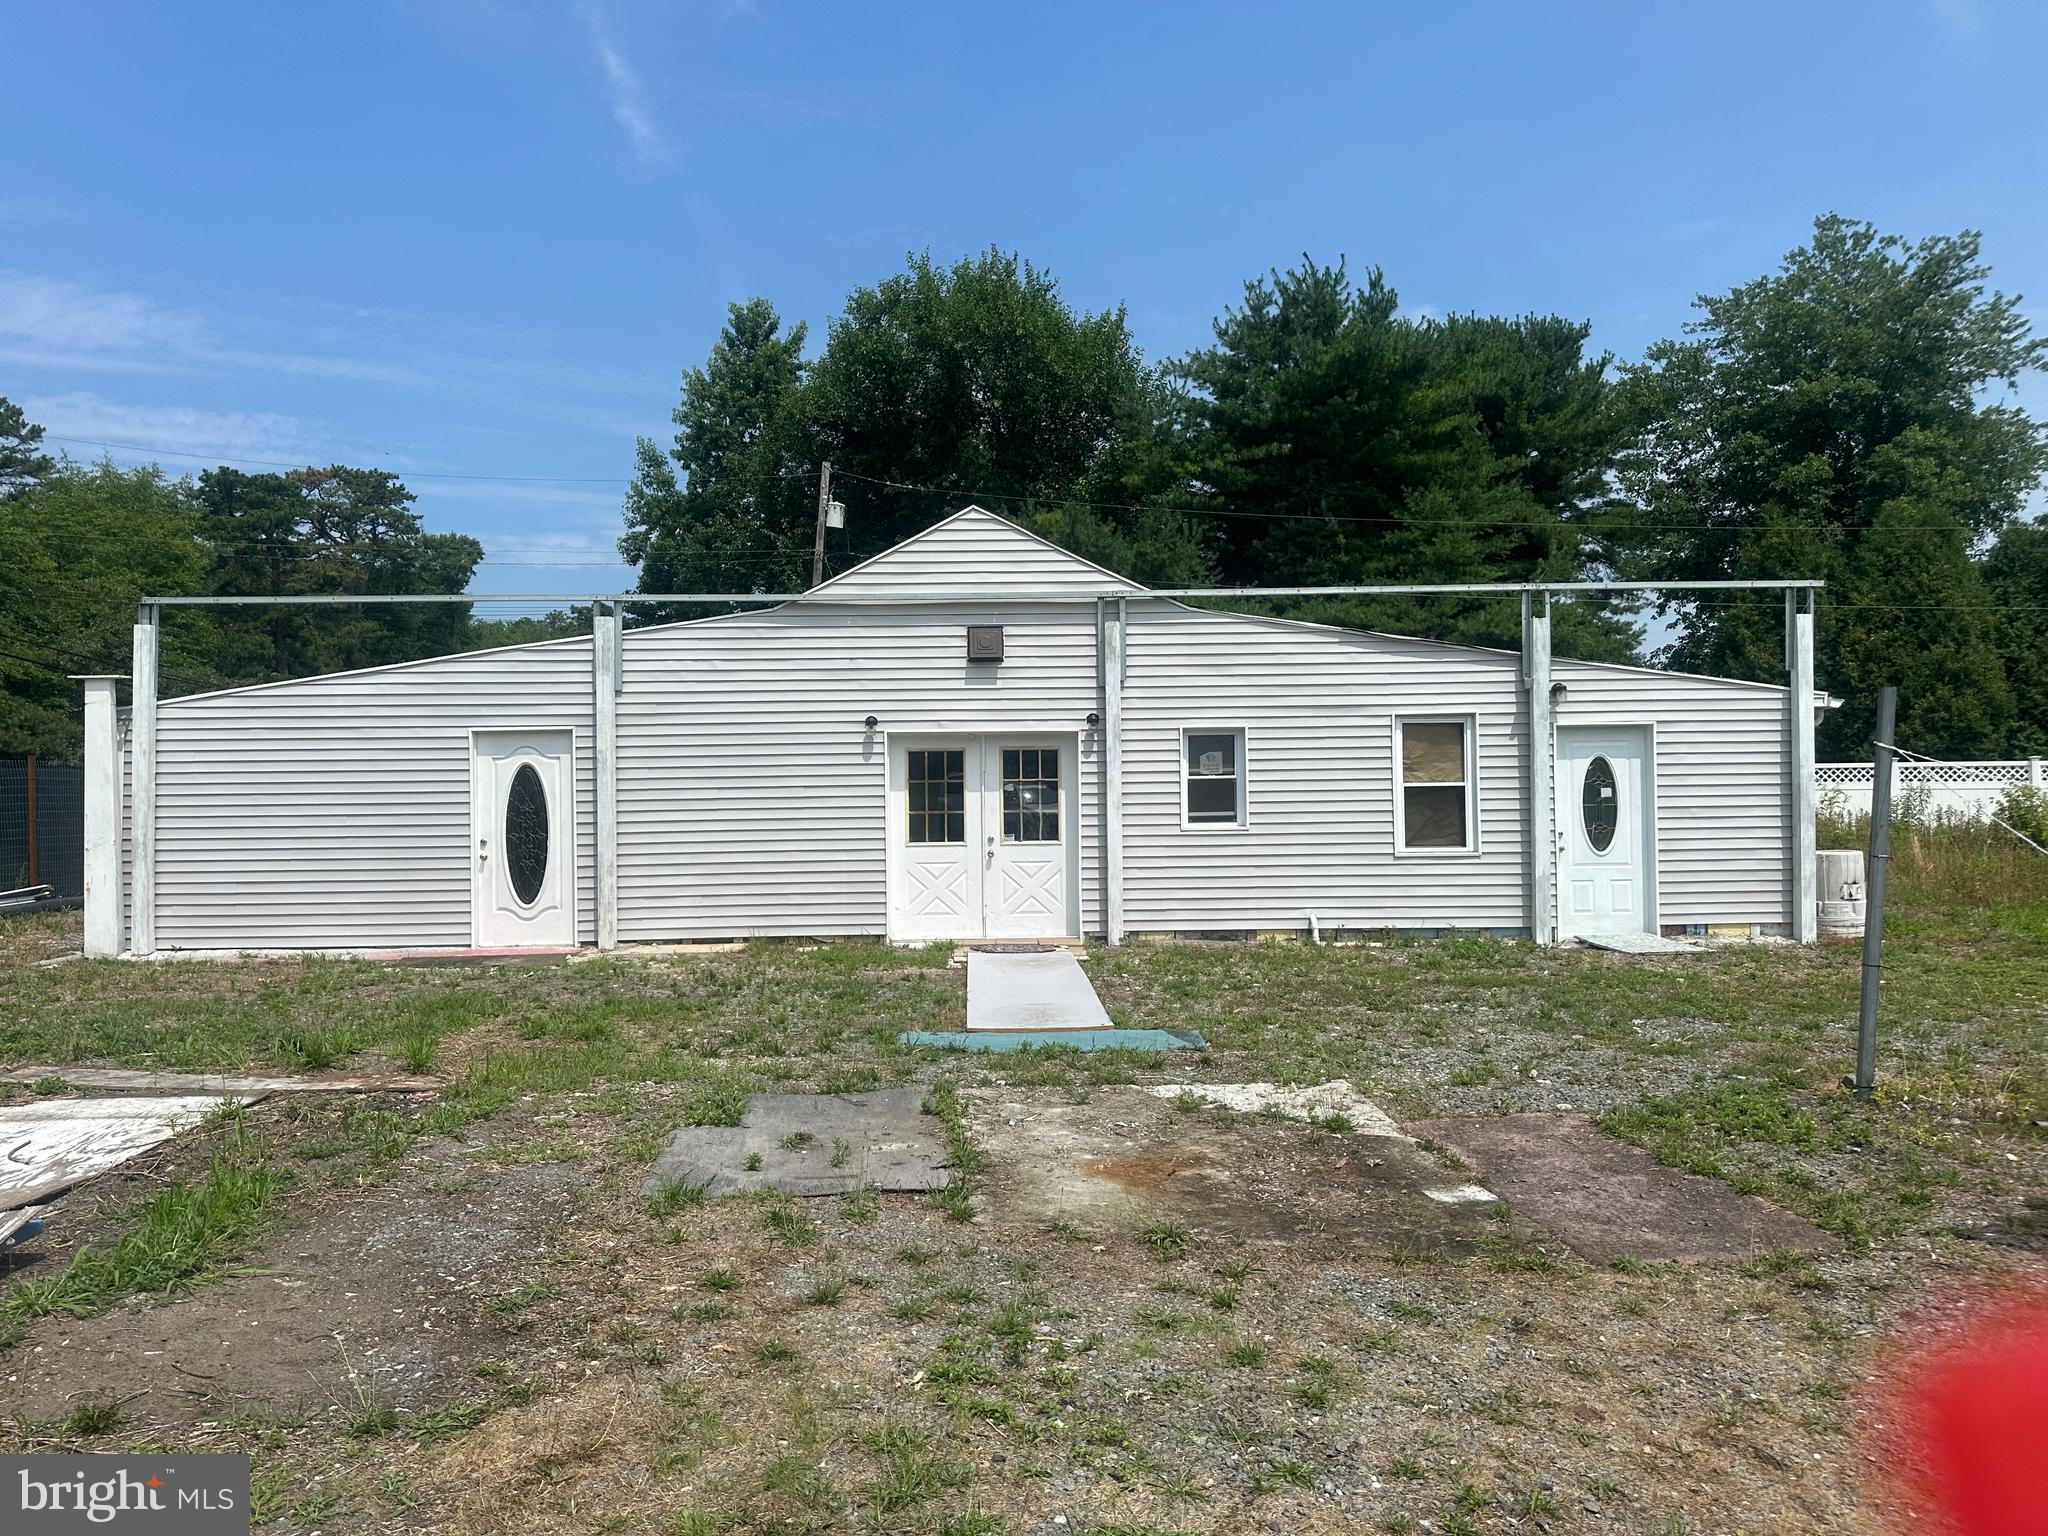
column 1318, row 710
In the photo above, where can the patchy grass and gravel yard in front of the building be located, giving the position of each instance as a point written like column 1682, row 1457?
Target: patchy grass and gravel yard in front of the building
column 458, row 1312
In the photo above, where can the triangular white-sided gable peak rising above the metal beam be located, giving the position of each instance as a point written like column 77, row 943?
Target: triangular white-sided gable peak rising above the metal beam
column 974, row 552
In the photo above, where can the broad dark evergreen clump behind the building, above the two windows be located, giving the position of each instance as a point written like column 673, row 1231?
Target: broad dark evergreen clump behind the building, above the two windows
column 1342, row 443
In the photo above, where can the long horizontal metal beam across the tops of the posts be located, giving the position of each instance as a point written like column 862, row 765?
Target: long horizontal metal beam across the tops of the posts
column 1027, row 595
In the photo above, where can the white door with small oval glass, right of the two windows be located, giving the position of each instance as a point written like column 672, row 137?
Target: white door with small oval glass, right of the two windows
column 1607, row 880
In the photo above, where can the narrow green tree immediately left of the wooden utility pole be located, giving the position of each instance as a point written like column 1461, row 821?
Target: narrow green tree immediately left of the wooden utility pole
column 728, row 509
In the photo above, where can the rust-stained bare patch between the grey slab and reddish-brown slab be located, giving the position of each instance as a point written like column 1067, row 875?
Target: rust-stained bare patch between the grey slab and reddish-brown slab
column 1132, row 1160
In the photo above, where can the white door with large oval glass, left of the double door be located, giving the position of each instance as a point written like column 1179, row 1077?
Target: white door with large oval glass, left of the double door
column 523, row 839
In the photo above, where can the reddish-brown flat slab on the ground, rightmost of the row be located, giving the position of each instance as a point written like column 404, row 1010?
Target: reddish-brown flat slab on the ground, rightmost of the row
column 1607, row 1199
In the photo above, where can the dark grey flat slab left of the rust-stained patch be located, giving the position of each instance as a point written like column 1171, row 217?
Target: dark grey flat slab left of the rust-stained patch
column 812, row 1146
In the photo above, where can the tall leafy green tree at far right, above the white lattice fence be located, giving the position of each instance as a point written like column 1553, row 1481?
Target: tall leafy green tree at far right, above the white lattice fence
column 1836, row 421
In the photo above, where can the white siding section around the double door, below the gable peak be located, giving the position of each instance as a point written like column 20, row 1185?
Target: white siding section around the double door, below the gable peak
column 751, row 796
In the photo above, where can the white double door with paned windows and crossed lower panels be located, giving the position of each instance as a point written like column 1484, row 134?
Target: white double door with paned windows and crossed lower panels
column 982, row 837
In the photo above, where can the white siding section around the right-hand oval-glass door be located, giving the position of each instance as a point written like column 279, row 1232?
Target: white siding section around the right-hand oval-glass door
column 1723, row 785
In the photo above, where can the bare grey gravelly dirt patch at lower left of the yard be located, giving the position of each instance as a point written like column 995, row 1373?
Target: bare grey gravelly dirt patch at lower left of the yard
column 378, row 1295
